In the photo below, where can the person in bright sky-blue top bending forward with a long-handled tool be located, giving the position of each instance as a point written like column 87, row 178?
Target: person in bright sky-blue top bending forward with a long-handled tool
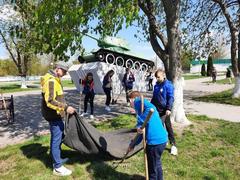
column 156, row 135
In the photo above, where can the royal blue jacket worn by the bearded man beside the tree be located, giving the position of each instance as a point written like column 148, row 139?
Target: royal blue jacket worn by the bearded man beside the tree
column 163, row 96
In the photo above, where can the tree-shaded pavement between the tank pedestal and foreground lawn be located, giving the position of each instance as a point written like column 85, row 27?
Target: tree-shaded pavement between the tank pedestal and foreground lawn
column 28, row 119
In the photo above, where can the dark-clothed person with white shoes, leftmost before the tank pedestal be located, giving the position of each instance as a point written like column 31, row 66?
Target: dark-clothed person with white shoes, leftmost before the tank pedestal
column 88, row 91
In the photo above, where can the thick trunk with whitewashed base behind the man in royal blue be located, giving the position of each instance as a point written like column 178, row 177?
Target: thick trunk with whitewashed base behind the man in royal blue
column 172, row 10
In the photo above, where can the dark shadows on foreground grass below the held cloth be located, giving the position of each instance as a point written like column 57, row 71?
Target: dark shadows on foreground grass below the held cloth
column 97, row 168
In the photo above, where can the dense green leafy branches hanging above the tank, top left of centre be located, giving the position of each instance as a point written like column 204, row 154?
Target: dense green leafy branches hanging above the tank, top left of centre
column 58, row 25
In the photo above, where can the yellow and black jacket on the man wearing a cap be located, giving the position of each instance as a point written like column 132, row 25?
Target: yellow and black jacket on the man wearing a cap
column 53, row 103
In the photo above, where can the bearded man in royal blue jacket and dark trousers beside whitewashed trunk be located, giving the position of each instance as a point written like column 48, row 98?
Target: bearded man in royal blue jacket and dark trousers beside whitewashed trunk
column 163, row 98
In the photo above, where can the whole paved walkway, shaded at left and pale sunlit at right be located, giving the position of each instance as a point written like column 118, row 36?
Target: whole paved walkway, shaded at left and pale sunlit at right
column 29, row 122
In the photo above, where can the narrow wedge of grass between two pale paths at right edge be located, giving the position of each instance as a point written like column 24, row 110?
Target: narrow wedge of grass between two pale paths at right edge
column 224, row 97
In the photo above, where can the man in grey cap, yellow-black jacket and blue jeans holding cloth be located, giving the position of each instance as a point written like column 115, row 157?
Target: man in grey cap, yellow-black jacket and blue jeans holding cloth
column 53, row 109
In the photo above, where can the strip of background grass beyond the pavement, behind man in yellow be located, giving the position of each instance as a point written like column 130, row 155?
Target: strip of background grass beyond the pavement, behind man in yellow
column 16, row 87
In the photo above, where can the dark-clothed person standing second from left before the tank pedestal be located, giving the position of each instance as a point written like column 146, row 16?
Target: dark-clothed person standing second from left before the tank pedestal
column 107, row 87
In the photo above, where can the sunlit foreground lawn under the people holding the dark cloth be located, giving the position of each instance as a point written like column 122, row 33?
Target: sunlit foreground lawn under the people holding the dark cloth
column 208, row 149
